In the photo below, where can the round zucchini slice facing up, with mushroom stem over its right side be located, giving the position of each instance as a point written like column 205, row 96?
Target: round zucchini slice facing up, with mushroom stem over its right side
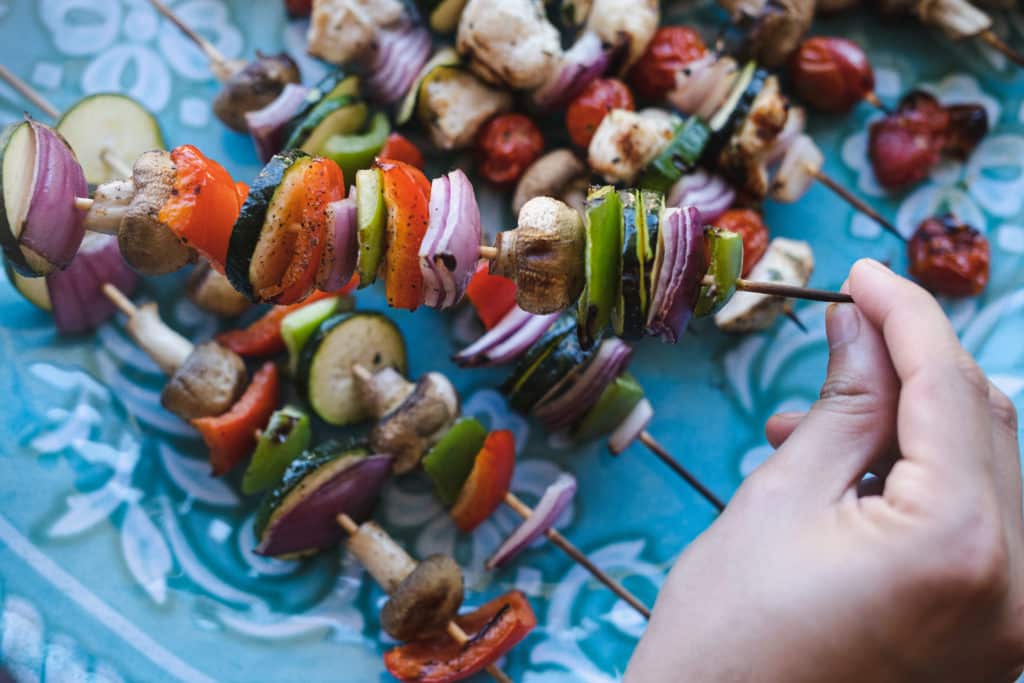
column 371, row 340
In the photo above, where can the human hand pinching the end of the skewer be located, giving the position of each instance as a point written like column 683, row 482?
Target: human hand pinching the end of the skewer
column 812, row 575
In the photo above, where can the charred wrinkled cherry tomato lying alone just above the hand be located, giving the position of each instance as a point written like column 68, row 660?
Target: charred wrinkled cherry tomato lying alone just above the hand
column 950, row 258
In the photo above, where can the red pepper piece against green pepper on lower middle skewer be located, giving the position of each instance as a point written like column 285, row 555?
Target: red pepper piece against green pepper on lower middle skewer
column 489, row 482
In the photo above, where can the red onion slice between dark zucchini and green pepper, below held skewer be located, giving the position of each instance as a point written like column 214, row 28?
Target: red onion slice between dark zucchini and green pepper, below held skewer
column 561, row 412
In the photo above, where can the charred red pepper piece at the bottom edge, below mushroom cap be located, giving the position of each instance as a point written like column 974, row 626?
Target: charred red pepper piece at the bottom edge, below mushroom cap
column 494, row 630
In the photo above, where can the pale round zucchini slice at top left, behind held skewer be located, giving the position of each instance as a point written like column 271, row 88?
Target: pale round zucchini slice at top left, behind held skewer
column 109, row 122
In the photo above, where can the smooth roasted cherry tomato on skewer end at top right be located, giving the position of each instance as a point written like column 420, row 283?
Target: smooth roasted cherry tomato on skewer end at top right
column 832, row 75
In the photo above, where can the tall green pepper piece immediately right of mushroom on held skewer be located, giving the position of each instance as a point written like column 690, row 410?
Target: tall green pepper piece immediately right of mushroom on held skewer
column 604, row 264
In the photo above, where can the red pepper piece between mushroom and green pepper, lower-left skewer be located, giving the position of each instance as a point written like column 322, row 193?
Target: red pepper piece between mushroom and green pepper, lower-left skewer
column 232, row 437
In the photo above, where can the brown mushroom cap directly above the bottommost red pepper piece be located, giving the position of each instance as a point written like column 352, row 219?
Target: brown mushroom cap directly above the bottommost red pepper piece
column 425, row 602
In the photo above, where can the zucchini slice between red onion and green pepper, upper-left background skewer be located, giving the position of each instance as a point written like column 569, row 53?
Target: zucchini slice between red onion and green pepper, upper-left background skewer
column 336, row 111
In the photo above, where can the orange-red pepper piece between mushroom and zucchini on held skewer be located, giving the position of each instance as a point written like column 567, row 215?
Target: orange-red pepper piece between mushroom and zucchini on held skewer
column 204, row 205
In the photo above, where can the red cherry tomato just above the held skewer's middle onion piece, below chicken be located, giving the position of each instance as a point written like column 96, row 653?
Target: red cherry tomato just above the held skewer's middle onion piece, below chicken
column 506, row 146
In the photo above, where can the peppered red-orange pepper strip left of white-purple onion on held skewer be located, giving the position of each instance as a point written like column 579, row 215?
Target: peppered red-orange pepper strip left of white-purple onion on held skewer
column 407, row 195
